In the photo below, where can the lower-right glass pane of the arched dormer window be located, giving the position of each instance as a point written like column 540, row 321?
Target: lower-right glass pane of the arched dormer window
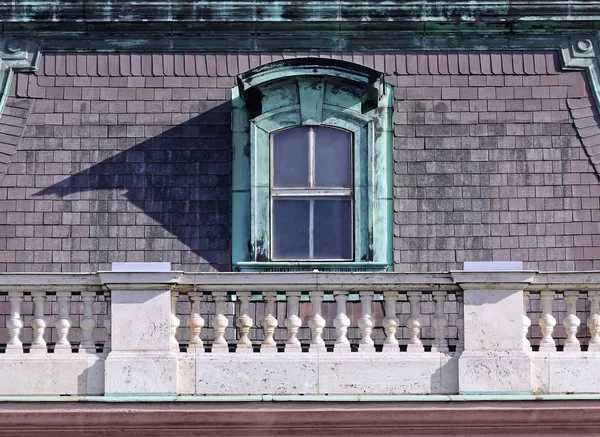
column 333, row 229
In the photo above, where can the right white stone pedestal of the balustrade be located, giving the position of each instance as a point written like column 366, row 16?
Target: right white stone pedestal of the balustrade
column 493, row 360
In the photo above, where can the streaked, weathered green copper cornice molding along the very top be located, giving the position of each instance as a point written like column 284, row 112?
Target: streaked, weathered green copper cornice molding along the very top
column 282, row 11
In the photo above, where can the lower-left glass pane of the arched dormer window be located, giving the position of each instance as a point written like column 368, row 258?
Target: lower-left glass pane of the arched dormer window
column 290, row 228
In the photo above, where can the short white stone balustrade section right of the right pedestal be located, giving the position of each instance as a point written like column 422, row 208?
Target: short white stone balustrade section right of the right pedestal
column 566, row 362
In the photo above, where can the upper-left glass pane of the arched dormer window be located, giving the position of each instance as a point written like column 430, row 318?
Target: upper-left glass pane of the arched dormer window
column 290, row 158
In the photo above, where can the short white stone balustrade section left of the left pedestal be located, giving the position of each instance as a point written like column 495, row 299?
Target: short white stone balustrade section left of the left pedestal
column 38, row 357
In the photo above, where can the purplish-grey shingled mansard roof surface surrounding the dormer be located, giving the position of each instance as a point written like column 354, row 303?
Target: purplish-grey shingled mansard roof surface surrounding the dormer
column 127, row 157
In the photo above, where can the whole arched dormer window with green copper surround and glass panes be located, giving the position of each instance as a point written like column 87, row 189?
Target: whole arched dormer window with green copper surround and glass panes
column 312, row 167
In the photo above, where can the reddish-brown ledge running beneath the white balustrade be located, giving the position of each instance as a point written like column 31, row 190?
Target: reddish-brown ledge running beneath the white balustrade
column 301, row 418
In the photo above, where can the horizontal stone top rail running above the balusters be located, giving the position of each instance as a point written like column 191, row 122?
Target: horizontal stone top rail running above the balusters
column 300, row 281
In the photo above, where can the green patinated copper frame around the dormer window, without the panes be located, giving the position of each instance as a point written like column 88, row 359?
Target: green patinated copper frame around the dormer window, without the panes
column 320, row 93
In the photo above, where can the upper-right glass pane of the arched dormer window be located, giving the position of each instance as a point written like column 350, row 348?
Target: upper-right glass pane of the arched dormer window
column 333, row 158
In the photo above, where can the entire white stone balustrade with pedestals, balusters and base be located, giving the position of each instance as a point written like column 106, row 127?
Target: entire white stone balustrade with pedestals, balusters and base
column 168, row 333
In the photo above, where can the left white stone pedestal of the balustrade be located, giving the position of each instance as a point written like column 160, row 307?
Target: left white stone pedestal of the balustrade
column 141, row 360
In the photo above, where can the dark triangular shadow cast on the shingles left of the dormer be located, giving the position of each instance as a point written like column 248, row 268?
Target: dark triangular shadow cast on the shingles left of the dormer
column 181, row 178
